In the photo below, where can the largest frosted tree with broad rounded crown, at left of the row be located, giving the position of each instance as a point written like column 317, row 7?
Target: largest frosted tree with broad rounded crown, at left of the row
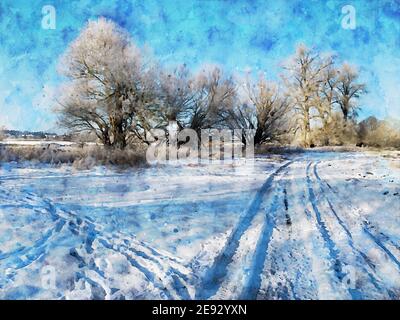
column 111, row 85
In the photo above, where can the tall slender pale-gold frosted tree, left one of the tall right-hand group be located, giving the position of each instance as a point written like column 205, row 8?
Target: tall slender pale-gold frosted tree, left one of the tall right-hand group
column 304, row 71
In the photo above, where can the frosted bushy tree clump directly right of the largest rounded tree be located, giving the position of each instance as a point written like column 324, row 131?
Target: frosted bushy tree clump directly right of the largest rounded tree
column 197, row 101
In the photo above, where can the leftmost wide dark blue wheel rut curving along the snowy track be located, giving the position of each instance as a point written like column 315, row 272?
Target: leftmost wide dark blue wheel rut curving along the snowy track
column 217, row 272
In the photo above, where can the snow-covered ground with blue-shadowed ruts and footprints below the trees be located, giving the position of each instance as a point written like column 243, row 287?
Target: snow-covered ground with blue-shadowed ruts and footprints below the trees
column 305, row 226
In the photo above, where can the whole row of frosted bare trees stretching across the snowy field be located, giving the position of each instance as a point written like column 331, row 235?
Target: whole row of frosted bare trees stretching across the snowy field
column 120, row 92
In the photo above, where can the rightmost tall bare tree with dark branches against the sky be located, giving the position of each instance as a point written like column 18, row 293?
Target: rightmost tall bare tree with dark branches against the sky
column 348, row 91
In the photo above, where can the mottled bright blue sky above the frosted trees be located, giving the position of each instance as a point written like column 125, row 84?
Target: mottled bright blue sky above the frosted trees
column 236, row 34
